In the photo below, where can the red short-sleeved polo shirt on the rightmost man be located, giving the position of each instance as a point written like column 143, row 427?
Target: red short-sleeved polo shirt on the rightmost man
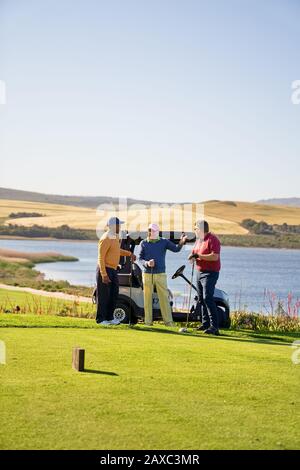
column 204, row 247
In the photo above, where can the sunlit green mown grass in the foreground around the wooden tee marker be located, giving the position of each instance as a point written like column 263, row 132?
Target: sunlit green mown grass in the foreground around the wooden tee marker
column 145, row 388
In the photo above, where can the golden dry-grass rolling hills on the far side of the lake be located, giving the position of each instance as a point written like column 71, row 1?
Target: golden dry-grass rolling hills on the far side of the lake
column 224, row 216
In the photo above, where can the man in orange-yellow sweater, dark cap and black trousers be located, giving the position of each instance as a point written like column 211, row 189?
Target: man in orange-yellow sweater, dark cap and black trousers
column 109, row 253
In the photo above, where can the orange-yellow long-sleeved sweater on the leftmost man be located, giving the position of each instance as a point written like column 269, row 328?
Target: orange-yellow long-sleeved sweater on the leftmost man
column 109, row 253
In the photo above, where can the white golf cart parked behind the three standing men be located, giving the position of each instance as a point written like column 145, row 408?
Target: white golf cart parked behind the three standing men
column 130, row 305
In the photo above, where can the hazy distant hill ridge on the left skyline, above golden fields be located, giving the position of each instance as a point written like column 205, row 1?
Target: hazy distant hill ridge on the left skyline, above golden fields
column 80, row 201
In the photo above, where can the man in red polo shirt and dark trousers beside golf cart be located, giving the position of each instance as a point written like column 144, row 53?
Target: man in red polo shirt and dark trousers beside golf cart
column 206, row 252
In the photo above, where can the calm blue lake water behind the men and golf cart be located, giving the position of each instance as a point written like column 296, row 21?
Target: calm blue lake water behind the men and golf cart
column 249, row 275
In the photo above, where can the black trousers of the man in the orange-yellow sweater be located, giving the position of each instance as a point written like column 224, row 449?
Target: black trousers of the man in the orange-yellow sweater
column 107, row 295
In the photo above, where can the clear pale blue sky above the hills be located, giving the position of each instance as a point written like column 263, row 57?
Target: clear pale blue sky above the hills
column 158, row 99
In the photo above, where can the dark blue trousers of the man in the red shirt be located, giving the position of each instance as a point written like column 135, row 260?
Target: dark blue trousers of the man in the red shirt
column 206, row 282
